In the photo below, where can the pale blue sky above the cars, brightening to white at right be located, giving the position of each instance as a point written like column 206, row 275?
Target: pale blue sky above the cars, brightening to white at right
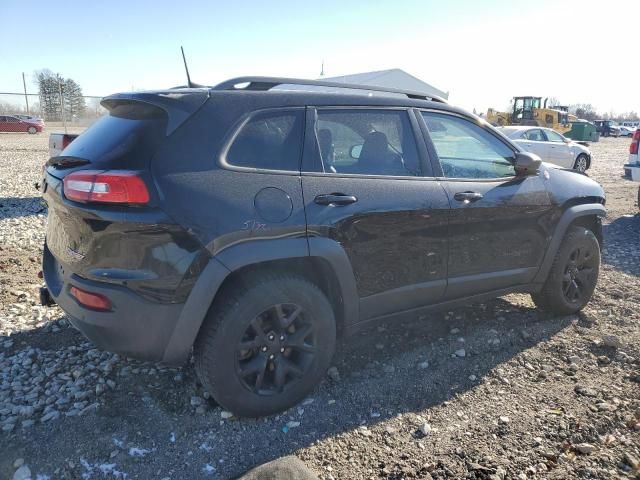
column 483, row 52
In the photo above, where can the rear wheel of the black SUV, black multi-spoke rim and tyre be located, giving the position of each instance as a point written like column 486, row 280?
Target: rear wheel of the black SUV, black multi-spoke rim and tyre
column 265, row 344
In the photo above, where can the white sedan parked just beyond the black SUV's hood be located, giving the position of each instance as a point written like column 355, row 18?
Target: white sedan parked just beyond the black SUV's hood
column 551, row 146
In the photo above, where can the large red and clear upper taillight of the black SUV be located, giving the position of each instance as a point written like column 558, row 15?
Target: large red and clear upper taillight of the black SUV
column 108, row 186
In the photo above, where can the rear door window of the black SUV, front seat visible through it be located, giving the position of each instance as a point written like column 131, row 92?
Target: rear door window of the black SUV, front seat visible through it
column 367, row 142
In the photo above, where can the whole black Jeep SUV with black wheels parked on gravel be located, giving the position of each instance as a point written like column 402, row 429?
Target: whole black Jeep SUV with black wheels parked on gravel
column 253, row 222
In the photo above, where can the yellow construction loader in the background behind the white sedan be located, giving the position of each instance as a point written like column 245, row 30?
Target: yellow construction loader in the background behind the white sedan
column 532, row 111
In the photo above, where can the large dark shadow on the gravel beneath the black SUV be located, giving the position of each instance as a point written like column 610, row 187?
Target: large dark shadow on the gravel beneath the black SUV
column 398, row 367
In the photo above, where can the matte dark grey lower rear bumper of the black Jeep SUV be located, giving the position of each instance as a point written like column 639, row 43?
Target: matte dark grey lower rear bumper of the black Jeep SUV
column 135, row 327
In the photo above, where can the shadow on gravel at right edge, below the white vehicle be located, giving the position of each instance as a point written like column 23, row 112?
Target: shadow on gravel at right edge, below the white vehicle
column 620, row 240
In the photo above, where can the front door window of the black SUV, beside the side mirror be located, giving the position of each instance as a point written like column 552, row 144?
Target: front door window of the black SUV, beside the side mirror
column 466, row 150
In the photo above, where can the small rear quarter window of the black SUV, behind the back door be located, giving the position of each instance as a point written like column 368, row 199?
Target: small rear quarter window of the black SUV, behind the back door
column 270, row 141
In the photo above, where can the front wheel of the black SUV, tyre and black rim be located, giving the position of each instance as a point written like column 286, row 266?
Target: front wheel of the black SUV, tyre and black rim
column 573, row 275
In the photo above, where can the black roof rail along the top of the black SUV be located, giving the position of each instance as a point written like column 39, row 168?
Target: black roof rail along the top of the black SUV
column 267, row 83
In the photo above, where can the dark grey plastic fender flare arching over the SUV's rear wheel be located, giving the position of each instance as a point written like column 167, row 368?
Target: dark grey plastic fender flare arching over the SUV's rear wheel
column 249, row 253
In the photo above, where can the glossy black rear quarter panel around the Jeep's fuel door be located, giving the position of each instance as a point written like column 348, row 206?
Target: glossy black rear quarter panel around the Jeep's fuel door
column 216, row 204
